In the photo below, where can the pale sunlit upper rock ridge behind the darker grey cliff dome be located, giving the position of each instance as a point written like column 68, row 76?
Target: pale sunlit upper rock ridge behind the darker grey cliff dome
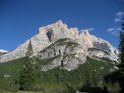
column 49, row 34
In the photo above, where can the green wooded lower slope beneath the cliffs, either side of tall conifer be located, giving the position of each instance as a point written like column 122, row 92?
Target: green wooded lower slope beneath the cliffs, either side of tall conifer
column 55, row 80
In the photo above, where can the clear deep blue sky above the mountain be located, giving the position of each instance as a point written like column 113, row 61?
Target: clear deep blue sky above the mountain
column 20, row 19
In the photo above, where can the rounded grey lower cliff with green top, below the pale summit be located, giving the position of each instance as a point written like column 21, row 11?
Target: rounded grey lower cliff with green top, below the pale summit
column 64, row 53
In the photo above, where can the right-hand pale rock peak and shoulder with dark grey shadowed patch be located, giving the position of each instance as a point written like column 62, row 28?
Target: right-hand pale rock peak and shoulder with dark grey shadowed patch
column 100, row 48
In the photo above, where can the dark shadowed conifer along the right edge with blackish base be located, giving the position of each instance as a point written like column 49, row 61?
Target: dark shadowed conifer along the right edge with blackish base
column 115, row 81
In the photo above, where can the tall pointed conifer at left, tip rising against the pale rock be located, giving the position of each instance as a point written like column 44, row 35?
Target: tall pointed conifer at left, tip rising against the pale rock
column 26, row 78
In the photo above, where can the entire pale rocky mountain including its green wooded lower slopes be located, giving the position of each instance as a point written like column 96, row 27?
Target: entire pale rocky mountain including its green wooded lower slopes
column 62, row 60
